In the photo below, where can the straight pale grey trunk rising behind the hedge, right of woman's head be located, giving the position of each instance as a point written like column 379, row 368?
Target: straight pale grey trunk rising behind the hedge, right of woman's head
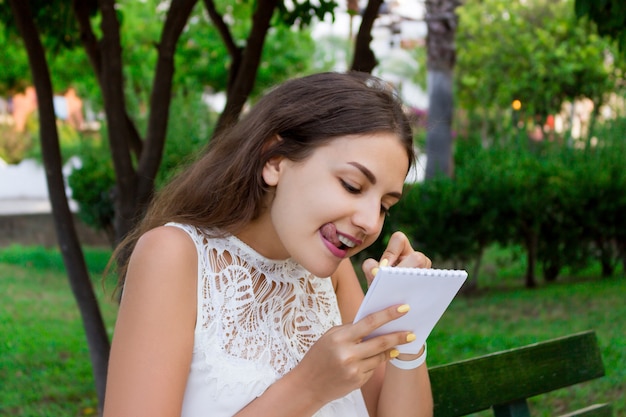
column 441, row 20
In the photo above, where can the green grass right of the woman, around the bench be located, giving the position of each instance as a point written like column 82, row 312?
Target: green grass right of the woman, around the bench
column 503, row 315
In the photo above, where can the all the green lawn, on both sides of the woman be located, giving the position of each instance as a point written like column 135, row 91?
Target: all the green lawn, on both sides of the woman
column 45, row 368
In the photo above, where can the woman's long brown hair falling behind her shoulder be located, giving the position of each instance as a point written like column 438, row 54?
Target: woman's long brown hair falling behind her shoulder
column 224, row 189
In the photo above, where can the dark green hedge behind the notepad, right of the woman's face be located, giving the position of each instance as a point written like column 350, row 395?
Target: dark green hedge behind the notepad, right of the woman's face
column 564, row 206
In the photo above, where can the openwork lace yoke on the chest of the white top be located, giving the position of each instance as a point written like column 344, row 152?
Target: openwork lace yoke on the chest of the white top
column 263, row 309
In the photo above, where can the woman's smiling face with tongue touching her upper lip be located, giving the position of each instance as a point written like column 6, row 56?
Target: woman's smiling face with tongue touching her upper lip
column 332, row 204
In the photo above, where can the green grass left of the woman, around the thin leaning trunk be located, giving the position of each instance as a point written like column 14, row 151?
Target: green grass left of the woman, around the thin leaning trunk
column 44, row 360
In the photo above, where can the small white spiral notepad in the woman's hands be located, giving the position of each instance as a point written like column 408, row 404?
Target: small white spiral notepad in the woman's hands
column 428, row 292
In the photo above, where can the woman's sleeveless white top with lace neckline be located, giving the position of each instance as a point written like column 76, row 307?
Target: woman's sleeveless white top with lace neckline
column 256, row 319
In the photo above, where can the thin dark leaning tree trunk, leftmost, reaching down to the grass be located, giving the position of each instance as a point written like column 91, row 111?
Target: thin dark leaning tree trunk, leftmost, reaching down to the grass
column 97, row 338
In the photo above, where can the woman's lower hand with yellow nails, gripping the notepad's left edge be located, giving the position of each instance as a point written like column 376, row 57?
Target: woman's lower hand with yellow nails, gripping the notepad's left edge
column 341, row 361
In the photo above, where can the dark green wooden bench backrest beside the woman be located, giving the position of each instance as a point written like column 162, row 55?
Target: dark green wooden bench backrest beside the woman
column 505, row 380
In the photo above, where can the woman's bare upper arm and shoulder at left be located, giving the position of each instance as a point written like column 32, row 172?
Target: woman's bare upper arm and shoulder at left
column 153, row 338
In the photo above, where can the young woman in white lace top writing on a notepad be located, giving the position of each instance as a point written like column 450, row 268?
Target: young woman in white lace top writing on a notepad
column 238, row 298
